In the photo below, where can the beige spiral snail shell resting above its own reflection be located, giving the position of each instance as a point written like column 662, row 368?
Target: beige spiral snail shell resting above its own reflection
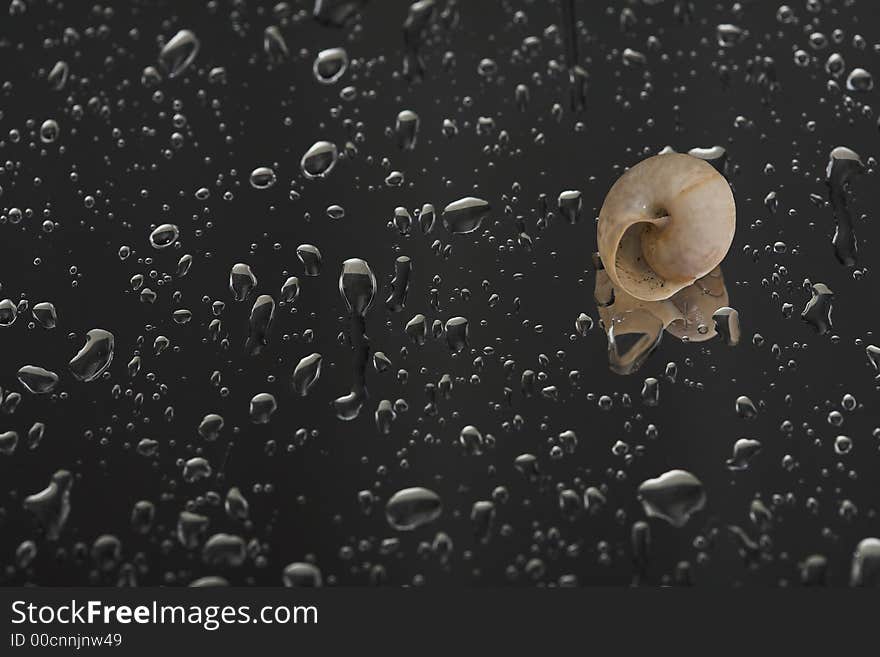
column 665, row 223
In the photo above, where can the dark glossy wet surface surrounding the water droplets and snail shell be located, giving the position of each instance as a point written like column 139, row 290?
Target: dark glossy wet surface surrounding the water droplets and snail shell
column 312, row 509
